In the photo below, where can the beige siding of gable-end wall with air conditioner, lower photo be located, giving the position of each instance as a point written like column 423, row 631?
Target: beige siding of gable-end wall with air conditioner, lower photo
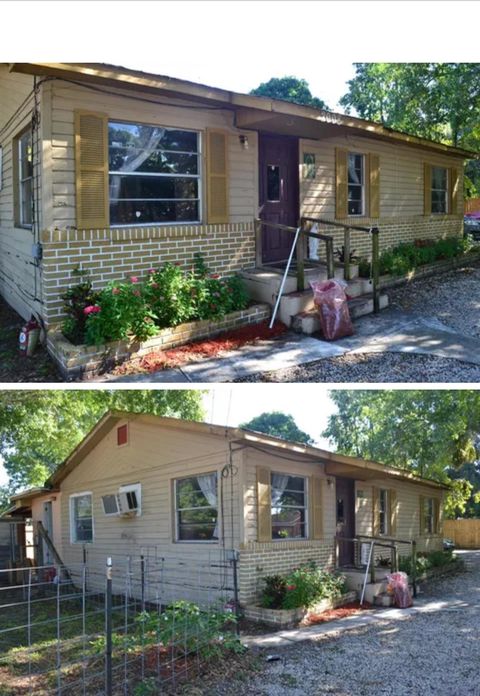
column 153, row 457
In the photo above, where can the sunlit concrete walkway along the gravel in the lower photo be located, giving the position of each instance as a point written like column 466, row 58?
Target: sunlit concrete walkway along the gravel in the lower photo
column 452, row 601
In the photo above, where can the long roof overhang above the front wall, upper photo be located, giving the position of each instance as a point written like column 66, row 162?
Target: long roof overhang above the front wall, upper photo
column 251, row 112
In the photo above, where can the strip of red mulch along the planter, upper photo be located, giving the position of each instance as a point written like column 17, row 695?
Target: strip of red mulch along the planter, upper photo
column 210, row 348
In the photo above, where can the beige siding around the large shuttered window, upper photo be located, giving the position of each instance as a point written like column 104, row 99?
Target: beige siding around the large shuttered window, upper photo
column 65, row 98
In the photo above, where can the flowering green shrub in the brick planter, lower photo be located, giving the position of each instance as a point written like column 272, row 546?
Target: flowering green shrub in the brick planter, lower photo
column 301, row 587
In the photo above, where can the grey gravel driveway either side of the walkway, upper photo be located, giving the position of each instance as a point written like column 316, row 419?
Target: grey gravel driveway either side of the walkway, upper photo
column 453, row 298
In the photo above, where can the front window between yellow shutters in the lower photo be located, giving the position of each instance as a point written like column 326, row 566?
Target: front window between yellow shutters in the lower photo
column 289, row 506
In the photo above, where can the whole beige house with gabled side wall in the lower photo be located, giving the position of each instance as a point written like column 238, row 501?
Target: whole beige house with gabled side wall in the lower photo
column 190, row 490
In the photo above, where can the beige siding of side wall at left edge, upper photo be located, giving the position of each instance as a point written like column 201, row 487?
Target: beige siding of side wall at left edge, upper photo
column 16, row 272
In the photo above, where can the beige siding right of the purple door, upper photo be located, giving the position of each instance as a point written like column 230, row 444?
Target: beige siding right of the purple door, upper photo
column 401, row 177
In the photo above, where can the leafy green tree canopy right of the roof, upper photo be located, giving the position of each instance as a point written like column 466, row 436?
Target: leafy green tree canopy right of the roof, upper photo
column 439, row 101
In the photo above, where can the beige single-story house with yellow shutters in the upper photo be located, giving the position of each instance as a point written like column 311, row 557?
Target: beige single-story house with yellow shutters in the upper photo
column 115, row 170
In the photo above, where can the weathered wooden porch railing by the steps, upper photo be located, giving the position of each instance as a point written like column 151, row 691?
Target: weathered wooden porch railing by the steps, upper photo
column 306, row 224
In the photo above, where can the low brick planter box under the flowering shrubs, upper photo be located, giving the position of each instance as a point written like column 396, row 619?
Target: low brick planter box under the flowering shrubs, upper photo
column 75, row 362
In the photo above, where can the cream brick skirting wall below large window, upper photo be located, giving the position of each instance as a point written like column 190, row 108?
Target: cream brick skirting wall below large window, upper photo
column 115, row 254
